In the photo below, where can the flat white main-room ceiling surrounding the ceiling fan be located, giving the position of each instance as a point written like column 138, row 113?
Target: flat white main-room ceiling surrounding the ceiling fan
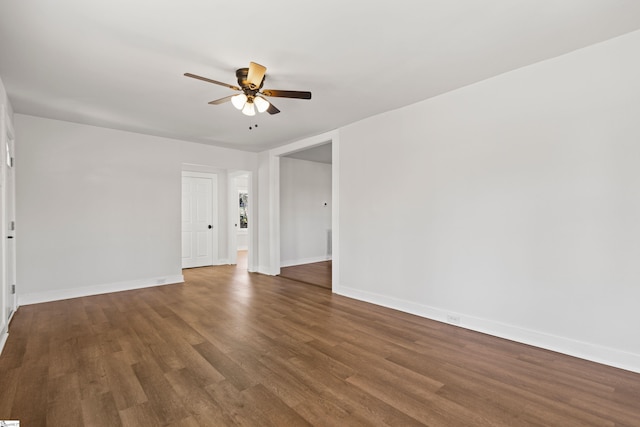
column 120, row 64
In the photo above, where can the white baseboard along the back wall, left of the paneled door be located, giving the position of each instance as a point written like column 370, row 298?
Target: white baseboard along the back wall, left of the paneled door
column 60, row 294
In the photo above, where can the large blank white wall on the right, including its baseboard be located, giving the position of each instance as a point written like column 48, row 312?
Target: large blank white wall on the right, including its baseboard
column 511, row 206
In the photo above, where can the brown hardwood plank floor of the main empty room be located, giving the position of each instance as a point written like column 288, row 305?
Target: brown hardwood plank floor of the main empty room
column 232, row 348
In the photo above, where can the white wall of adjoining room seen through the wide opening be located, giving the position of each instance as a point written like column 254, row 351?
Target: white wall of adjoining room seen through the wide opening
column 305, row 187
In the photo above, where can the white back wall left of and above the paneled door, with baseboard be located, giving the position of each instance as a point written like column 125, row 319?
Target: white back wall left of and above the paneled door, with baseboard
column 99, row 209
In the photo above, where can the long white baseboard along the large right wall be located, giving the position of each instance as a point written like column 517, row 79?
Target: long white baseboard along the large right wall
column 582, row 350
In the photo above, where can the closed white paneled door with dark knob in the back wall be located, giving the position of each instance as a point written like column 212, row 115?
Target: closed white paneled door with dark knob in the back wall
column 199, row 219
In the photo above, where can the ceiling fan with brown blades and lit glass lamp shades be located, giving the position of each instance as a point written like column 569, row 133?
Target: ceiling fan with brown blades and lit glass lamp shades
column 252, row 96
